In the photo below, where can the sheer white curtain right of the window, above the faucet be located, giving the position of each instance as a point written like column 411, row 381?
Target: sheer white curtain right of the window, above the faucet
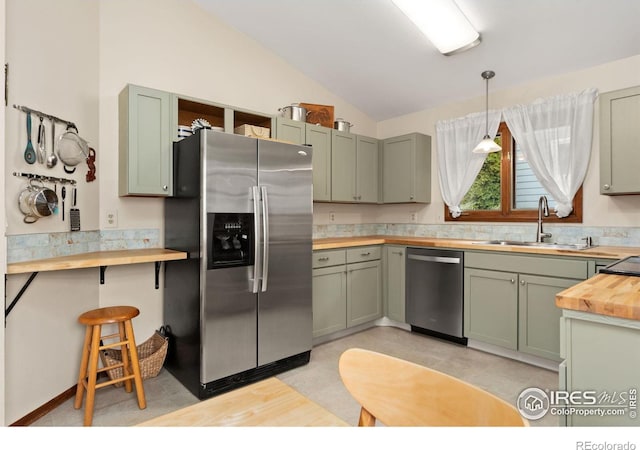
column 555, row 136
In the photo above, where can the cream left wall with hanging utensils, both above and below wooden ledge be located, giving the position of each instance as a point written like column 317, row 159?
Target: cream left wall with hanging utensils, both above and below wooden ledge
column 52, row 50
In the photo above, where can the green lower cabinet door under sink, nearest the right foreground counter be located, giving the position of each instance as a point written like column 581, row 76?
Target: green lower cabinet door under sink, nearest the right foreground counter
column 539, row 317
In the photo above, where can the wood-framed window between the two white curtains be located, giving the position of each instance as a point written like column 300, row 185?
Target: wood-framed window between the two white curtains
column 506, row 190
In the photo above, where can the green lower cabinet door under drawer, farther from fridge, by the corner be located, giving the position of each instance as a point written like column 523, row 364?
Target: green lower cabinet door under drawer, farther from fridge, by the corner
column 364, row 288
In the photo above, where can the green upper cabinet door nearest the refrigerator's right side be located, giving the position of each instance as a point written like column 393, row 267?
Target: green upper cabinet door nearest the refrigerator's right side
column 320, row 140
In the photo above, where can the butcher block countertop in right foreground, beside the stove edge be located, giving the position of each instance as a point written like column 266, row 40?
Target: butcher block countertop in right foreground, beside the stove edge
column 609, row 295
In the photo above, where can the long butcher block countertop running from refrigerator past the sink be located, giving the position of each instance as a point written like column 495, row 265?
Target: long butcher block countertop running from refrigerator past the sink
column 597, row 252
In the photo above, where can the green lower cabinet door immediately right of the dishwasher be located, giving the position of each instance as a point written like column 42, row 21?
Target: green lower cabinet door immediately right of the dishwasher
column 491, row 307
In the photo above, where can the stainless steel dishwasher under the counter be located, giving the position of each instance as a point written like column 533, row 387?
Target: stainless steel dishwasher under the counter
column 434, row 292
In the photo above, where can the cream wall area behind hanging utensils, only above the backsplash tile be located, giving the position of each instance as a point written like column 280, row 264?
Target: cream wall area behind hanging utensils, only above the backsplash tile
column 52, row 52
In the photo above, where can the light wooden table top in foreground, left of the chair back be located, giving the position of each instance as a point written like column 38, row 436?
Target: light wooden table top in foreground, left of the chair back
column 267, row 403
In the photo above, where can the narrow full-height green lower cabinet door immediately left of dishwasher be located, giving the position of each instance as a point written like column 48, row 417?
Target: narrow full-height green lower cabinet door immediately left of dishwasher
column 394, row 282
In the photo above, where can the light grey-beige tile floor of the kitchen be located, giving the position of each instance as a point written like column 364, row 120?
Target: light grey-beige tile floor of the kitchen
column 320, row 381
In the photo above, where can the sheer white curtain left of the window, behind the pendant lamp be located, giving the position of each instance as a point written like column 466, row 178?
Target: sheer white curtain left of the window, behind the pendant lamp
column 458, row 166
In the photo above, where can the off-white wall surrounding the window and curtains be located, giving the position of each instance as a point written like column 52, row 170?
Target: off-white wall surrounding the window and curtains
column 599, row 210
